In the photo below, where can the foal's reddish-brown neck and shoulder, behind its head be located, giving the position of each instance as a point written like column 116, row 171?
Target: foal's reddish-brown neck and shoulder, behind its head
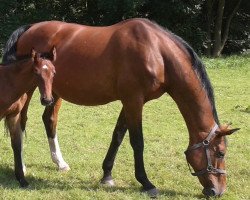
column 15, row 80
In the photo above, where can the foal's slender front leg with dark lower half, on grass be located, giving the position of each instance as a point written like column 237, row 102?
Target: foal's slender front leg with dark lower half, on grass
column 16, row 133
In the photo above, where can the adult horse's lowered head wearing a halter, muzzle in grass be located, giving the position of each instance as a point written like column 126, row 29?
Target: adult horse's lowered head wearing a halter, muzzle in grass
column 207, row 158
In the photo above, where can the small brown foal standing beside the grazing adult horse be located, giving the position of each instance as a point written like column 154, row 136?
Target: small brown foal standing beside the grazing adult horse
column 16, row 79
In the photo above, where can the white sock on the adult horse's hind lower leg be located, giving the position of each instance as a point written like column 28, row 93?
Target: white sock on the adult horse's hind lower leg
column 56, row 154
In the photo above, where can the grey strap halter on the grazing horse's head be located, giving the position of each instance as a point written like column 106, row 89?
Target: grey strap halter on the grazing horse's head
column 205, row 143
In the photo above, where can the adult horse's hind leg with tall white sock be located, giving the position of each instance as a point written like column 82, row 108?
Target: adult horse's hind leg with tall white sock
column 50, row 121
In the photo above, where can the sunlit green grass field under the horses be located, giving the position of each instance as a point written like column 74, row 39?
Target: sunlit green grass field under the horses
column 85, row 133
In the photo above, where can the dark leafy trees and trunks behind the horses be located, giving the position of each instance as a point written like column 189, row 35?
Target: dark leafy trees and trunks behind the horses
column 212, row 27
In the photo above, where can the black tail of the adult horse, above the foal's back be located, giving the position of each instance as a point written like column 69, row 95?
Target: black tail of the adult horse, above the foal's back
column 9, row 54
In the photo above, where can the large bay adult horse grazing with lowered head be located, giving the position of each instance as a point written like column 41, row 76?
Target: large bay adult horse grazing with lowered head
column 133, row 61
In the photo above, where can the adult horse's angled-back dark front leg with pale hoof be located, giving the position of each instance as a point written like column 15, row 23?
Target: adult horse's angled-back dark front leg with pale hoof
column 118, row 135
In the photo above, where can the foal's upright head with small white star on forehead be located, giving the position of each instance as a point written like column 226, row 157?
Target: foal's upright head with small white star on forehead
column 45, row 71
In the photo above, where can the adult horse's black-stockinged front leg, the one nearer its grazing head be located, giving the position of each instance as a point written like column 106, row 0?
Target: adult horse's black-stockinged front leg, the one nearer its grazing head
column 133, row 114
